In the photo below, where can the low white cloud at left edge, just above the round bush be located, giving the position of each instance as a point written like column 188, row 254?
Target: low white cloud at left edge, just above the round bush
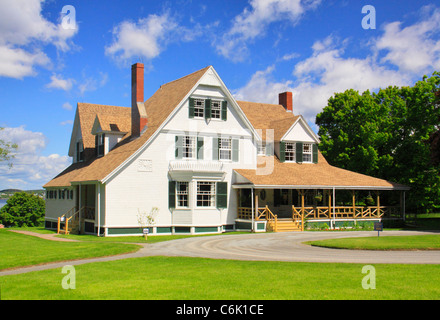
column 30, row 168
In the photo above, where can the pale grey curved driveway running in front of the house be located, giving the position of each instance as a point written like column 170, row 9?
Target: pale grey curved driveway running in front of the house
column 265, row 247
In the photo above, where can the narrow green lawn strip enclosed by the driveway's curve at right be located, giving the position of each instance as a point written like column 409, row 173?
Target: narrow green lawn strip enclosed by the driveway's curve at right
column 422, row 242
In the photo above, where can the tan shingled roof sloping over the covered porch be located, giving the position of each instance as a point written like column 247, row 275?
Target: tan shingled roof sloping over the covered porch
column 309, row 176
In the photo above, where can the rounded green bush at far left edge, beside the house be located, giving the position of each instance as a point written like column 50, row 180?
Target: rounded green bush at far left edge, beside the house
column 23, row 209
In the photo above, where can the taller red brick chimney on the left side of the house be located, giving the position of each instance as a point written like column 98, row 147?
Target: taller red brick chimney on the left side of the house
column 138, row 112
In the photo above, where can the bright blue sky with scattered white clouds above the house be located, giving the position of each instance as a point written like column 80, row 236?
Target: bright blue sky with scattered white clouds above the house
column 313, row 48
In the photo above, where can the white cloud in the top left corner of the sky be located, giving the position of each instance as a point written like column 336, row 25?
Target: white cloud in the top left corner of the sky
column 22, row 26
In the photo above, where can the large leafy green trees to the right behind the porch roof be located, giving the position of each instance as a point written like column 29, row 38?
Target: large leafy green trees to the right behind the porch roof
column 392, row 134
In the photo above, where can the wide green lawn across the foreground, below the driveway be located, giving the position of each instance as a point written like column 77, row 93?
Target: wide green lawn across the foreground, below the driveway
column 179, row 278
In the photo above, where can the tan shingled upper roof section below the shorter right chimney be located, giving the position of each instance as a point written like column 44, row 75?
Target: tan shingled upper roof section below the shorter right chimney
column 266, row 116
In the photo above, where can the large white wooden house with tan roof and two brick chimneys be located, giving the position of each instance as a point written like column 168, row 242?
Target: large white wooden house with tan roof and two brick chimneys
column 202, row 162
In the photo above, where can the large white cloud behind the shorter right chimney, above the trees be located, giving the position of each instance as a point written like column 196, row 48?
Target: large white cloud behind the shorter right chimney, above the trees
column 319, row 77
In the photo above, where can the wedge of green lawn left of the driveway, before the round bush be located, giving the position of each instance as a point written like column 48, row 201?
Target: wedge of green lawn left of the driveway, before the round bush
column 24, row 250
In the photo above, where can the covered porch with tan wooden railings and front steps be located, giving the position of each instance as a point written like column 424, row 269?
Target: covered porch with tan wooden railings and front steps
column 287, row 208
